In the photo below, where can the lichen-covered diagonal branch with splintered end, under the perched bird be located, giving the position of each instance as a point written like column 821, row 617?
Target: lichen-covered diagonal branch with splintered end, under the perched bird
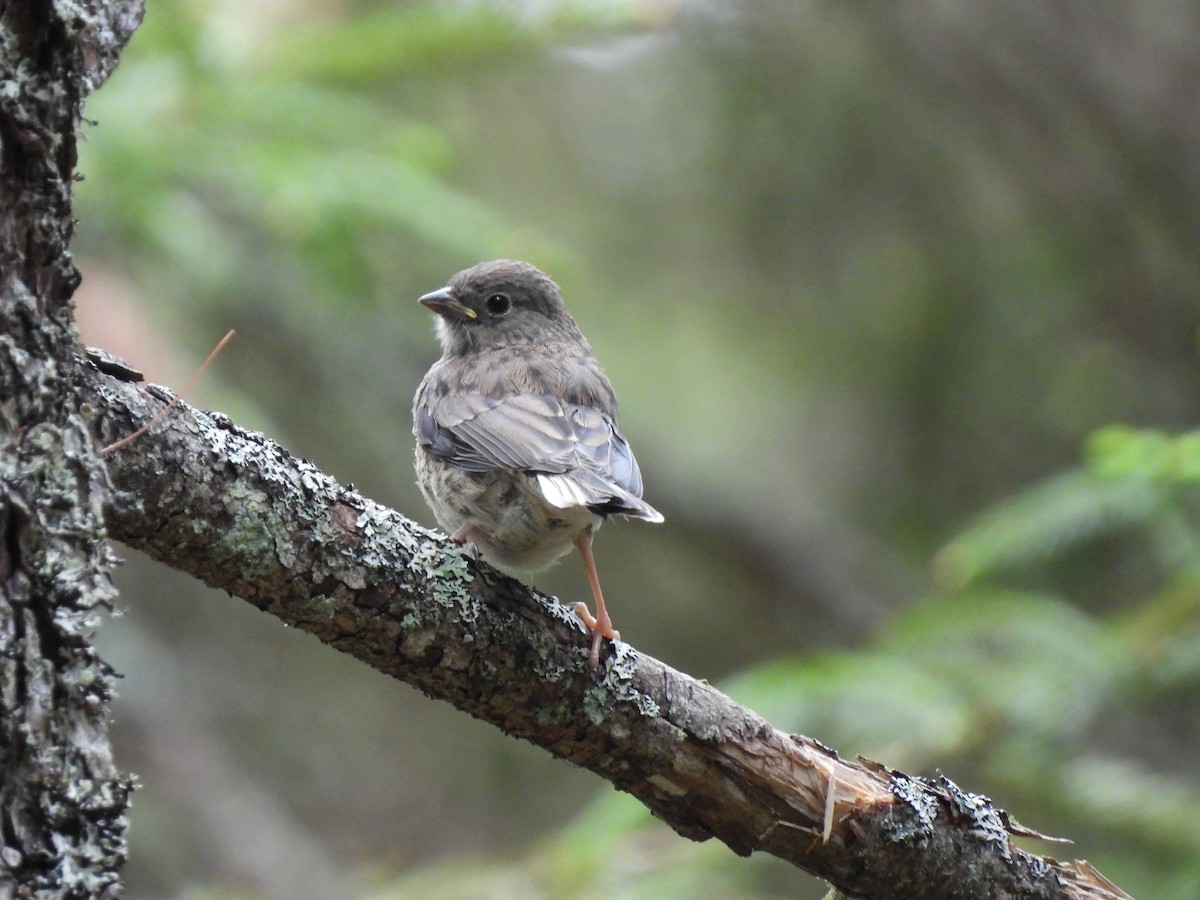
column 239, row 513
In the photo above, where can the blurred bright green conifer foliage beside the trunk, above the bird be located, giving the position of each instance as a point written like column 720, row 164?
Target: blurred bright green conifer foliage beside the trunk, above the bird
column 239, row 159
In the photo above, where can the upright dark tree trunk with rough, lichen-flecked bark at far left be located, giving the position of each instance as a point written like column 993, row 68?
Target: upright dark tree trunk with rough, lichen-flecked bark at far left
column 62, row 800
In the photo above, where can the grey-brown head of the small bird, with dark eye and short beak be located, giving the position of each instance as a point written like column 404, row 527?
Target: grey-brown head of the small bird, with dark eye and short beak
column 503, row 303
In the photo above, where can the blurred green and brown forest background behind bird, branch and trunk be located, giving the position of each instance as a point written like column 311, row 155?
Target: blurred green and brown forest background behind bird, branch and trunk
column 902, row 303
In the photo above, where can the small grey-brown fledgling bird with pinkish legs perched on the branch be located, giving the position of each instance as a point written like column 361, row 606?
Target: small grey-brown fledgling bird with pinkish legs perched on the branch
column 518, row 449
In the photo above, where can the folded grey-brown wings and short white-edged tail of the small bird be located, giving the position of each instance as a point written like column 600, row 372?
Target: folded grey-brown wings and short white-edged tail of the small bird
column 578, row 453
